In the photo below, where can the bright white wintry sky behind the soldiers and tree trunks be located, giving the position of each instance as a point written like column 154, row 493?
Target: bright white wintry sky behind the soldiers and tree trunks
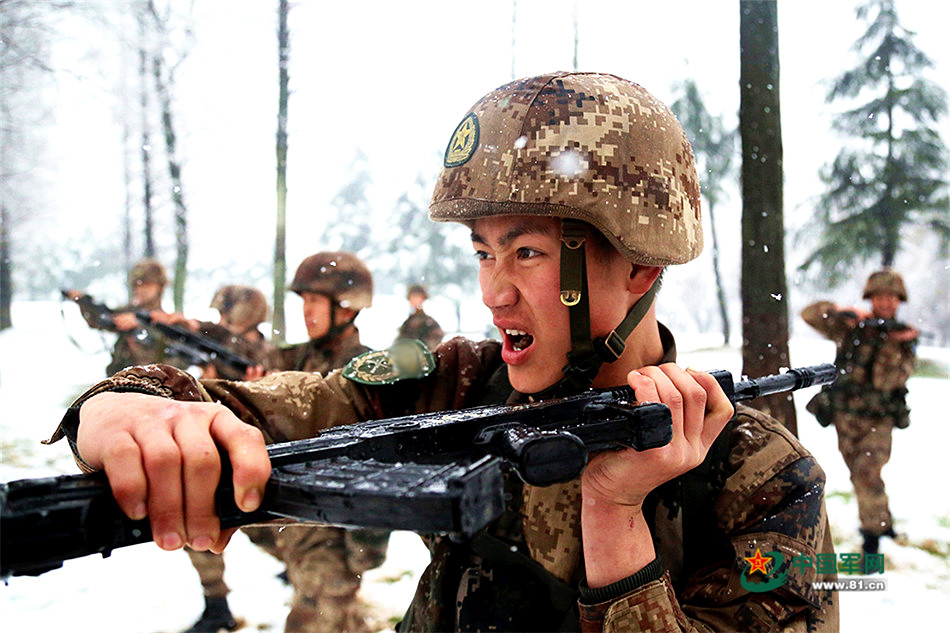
column 375, row 89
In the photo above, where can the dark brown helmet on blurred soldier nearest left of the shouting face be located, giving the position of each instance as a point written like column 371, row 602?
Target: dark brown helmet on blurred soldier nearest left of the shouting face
column 341, row 276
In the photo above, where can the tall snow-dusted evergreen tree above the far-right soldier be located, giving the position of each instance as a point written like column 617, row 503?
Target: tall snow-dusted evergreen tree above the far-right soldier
column 894, row 173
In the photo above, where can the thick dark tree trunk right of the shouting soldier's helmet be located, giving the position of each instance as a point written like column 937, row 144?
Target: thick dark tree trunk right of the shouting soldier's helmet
column 764, row 289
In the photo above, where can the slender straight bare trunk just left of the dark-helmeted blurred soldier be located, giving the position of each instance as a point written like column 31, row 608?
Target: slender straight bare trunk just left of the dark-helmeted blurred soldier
column 280, row 245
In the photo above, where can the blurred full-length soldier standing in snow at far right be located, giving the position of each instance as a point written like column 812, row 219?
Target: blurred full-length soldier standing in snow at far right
column 875, row 358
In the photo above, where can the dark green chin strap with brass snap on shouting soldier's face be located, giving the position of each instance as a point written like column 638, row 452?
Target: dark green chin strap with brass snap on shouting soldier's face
column 587, row 353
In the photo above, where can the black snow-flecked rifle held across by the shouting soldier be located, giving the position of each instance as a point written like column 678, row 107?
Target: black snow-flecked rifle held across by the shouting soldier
column 429, row 473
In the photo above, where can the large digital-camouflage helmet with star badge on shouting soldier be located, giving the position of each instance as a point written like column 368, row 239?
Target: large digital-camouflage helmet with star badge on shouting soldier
column 591, row 147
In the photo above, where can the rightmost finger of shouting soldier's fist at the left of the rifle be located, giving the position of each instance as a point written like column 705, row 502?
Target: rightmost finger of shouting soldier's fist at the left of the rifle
column 247, row 451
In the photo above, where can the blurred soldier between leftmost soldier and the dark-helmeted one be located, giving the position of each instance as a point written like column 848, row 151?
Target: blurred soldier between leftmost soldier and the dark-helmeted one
column 242, row 309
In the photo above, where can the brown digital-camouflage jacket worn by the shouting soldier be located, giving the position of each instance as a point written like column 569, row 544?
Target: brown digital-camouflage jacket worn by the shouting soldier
column 764, row 492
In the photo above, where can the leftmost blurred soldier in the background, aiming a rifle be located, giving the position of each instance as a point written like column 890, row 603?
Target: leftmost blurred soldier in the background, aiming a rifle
column 147, row 280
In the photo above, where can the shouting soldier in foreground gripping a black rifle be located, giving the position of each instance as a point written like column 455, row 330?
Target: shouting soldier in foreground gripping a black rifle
column 578, row 188
